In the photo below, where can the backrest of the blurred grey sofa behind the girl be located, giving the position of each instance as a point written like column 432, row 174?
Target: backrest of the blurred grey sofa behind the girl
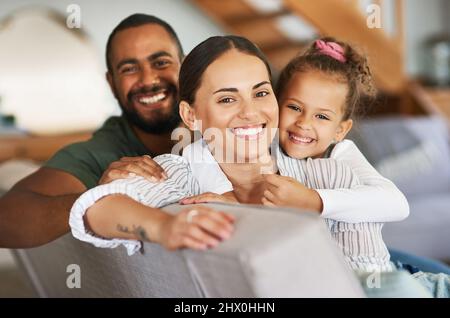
column 413, row 152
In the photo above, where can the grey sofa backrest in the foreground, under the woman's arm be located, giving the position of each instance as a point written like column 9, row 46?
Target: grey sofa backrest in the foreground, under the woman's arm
column 273, row 253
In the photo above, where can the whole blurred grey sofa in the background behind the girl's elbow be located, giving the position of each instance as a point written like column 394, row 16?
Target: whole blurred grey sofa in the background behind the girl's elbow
column 415, row 154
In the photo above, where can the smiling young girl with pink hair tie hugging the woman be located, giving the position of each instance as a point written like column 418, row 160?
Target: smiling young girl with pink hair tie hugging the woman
column 318, row 93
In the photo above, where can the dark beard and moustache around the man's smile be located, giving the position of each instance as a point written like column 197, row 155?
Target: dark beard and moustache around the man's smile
column 162, row 123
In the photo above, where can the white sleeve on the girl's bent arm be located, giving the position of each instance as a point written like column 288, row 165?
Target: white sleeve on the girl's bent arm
column 377, row 199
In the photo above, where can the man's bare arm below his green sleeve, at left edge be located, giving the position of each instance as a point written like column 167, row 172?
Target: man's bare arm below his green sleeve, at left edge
column 36, row 210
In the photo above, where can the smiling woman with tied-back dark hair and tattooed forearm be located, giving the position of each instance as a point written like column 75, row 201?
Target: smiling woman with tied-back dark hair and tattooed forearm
column 240, row 114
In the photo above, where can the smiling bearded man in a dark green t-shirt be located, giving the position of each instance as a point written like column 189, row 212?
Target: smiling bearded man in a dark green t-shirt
column 143, row 56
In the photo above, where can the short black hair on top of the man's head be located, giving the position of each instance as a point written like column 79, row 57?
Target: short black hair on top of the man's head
column 136, row 20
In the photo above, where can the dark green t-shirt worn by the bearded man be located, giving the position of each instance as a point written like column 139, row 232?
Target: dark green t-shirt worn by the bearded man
column 89, row 159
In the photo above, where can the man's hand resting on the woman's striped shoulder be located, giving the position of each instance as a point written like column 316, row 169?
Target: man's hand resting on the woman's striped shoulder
column 143, row 166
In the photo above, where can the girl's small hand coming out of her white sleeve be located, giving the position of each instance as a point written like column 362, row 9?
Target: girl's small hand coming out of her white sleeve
column 286, row 191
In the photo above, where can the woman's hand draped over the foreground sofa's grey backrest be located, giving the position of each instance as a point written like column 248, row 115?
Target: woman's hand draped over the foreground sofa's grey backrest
column 198, row 228
